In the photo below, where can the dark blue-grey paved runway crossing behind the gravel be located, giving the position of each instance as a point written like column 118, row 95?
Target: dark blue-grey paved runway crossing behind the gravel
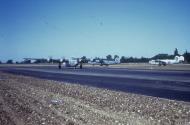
column 168, row 84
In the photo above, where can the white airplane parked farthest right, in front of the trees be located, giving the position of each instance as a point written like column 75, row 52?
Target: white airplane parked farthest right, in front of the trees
column 164, row 62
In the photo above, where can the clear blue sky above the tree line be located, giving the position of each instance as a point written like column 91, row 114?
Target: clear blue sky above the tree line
column 93, row 28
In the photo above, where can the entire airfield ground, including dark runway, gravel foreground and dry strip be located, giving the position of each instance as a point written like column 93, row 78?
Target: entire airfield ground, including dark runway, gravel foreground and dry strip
column 111, row 95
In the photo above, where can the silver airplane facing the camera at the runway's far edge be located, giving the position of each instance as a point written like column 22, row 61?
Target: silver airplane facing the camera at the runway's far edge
column 73, row 62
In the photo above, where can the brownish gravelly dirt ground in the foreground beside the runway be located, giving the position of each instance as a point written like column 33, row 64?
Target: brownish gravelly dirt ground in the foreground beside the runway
column 31, row 101
